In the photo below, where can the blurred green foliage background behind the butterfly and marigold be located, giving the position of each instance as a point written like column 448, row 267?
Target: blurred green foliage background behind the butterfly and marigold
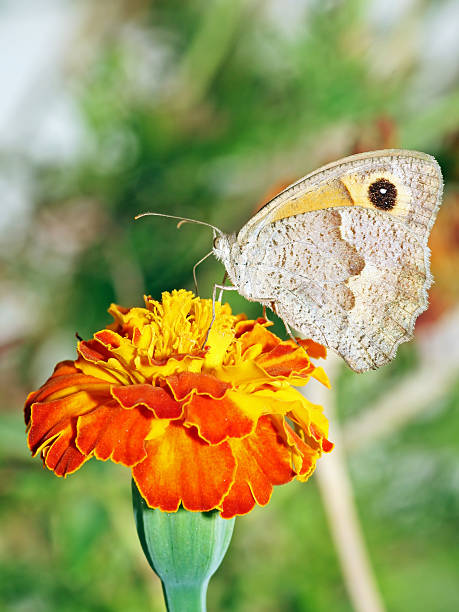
column 205, row 109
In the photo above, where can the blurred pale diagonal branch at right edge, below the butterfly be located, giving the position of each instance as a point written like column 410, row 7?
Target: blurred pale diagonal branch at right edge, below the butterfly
column 438, row 372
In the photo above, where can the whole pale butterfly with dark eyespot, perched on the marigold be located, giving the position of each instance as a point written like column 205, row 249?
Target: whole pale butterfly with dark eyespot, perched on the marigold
column 341, row 255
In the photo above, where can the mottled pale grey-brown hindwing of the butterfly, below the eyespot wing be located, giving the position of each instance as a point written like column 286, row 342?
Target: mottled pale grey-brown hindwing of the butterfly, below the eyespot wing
column 341, row 287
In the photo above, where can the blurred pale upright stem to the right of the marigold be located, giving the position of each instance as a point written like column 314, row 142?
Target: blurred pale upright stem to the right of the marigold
column 338, row 500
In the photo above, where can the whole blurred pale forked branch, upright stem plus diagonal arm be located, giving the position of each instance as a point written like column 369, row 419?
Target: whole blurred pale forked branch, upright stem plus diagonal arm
column 438, row 372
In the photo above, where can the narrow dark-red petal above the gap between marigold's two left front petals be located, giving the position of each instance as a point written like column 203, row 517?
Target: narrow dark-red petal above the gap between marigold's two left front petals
column 157, row 399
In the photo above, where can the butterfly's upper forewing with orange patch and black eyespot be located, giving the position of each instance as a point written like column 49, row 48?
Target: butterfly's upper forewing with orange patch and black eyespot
column 411, row 181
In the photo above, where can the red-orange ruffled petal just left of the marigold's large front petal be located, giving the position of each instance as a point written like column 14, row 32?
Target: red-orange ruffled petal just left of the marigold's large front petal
column 111, row 432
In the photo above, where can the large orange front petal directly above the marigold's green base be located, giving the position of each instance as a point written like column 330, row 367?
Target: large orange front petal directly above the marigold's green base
column 182, row 469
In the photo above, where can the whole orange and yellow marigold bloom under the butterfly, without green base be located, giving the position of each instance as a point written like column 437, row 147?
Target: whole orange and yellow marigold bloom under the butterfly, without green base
column 213, row 427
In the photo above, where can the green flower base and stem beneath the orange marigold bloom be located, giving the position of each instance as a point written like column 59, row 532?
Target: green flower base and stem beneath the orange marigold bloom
column 184, row 549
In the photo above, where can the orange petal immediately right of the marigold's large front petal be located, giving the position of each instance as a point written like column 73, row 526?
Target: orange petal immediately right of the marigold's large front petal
column 262, row 461
